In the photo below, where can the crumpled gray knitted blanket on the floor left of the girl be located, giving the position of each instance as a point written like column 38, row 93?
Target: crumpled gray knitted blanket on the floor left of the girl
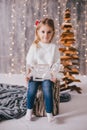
column 12, row 101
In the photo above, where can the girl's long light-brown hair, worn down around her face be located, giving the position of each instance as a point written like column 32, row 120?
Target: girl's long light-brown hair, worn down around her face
column 45, row 21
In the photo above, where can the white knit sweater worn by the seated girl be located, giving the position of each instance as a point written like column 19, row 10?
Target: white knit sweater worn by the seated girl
column 46, row 53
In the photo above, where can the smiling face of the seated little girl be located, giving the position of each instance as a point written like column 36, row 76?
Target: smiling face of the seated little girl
column 45, row 33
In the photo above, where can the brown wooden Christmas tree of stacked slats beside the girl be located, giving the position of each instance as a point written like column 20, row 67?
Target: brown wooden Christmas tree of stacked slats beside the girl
column 69, row 55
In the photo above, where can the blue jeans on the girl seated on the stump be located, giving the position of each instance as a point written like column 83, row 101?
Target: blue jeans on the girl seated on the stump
column 47, row 93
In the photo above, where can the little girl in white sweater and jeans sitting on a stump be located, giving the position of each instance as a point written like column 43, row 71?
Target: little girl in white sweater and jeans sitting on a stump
column 43, row 52
